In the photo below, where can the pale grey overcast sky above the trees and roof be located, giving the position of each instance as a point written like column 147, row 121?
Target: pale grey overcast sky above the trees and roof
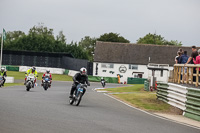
column 132, row 19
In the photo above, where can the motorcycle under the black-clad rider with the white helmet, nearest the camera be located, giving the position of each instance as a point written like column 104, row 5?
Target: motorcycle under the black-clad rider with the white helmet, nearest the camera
column 78, row 93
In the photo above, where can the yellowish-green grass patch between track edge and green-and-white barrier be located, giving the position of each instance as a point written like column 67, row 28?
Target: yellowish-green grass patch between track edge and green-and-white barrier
column 140, row 98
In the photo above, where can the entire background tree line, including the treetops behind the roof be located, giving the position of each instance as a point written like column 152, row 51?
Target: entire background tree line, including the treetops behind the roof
column 41, row 39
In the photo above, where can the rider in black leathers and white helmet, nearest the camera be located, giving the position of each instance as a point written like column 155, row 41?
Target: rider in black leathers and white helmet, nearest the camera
column 80, row 77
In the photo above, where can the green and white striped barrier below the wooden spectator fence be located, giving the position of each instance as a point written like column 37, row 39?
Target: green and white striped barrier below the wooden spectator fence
column 186, row 99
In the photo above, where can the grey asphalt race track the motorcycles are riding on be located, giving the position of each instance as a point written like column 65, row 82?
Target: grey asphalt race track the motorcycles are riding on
column 40, row 111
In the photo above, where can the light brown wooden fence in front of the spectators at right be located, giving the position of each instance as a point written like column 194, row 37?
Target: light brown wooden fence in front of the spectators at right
column 186, row 74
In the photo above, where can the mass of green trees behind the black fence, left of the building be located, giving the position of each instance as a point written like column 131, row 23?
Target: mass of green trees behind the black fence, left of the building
column 41, row 39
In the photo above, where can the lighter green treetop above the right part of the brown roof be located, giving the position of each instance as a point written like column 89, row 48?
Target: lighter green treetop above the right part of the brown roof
column 156, row 39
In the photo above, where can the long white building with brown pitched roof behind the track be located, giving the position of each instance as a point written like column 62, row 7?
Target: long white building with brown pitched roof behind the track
column 131, row 60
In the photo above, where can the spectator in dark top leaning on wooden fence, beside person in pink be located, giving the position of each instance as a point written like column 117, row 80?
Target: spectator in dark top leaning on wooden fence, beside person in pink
column 190, row 60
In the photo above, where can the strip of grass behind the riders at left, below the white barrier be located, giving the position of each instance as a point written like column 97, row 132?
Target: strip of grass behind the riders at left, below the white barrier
column 56, row 77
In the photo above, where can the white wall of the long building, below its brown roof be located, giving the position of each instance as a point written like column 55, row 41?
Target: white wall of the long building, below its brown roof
column 129, row 72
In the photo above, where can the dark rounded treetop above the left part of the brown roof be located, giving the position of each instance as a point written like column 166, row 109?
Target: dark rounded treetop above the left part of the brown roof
column 112, row 37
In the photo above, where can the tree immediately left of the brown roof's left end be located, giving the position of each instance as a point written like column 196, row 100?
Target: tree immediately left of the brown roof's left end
column 88, row 45
